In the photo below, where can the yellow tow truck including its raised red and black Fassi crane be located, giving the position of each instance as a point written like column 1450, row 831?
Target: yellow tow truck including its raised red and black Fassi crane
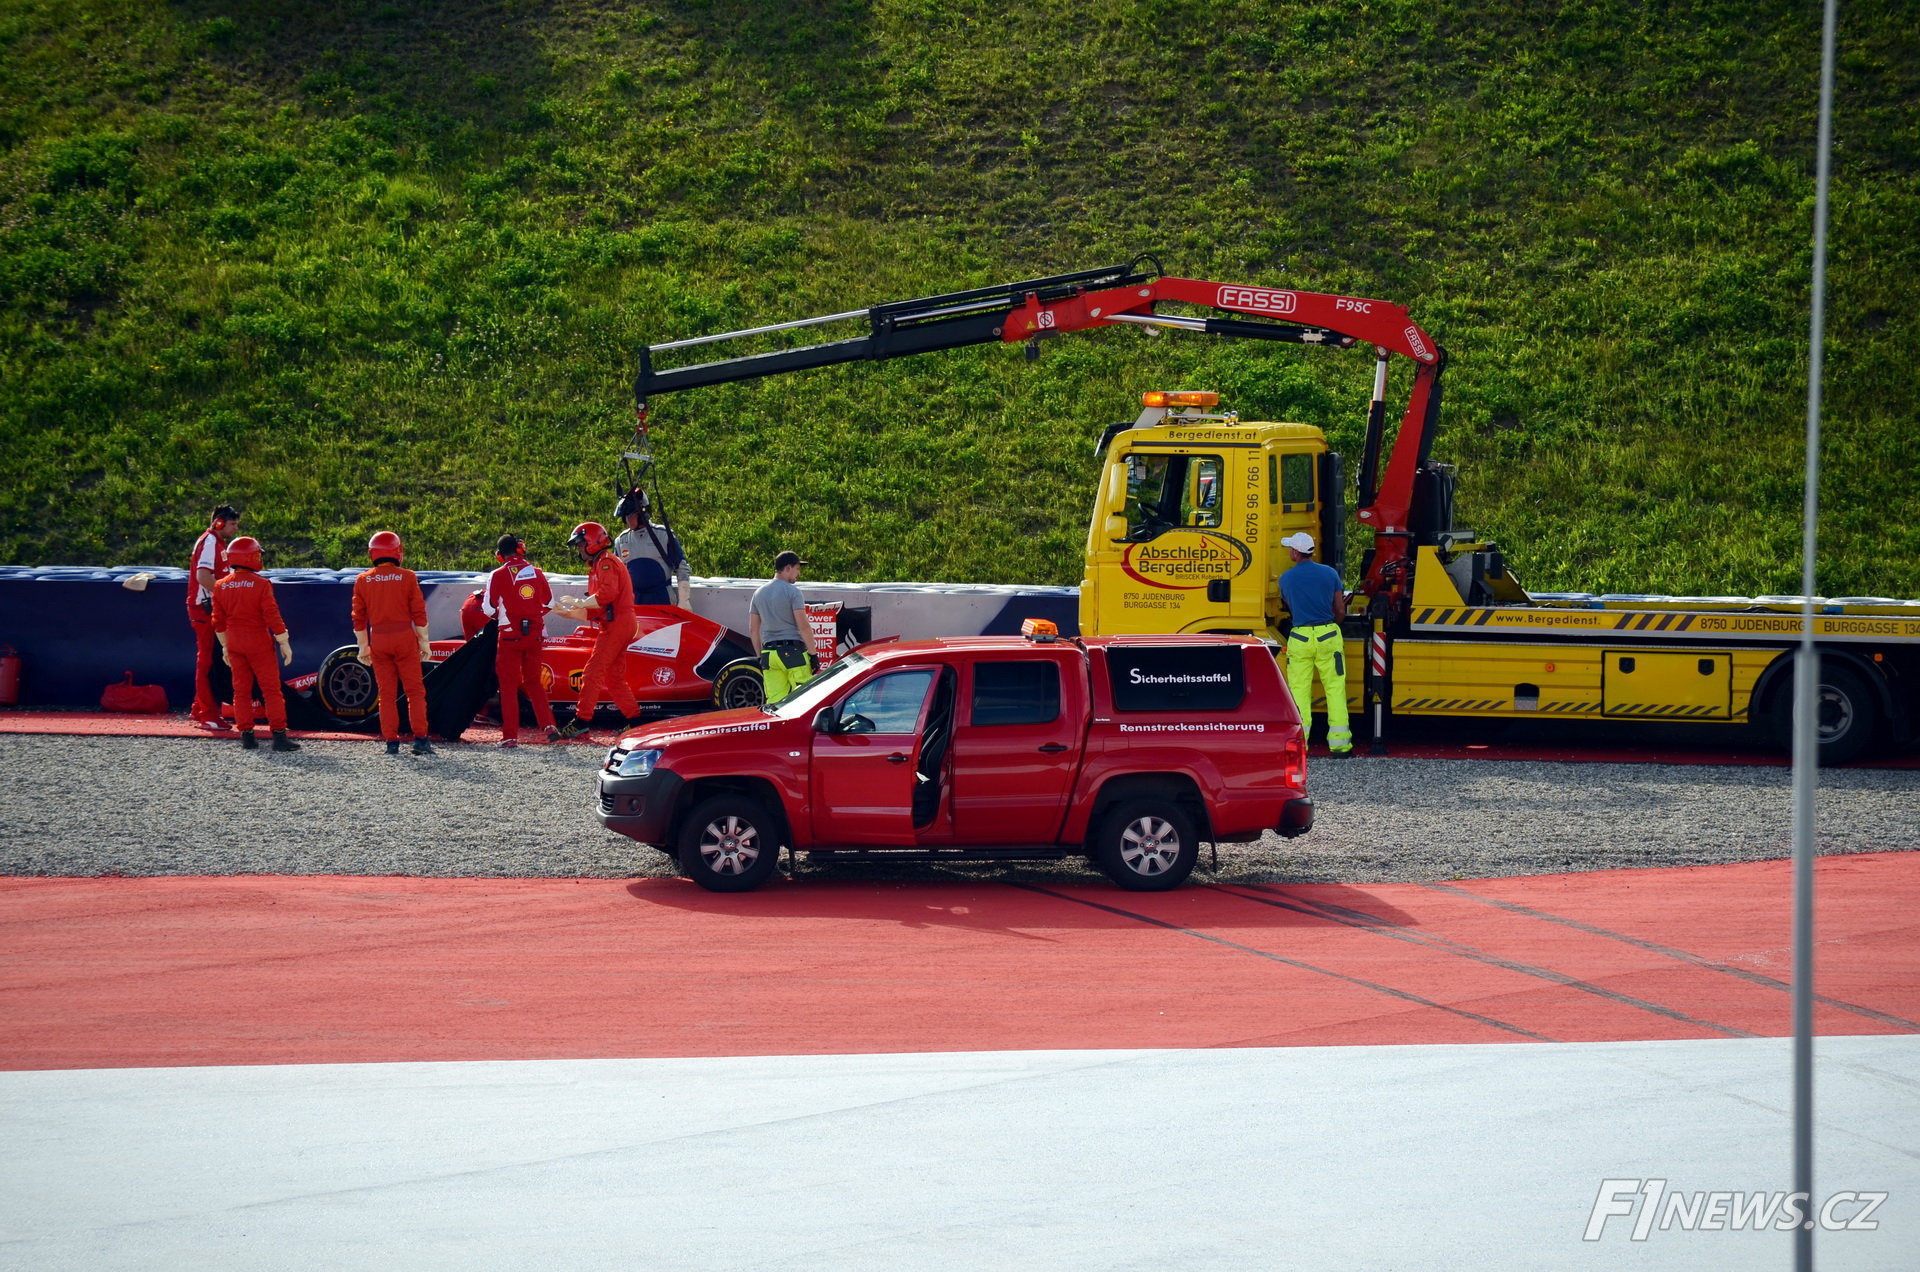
column 1193, row 502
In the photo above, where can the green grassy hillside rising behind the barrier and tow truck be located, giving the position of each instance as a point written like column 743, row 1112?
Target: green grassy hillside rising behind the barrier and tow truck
column 387, row 266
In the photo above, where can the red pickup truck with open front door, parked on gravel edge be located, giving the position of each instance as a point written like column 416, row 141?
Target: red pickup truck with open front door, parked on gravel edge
column 1128, row 750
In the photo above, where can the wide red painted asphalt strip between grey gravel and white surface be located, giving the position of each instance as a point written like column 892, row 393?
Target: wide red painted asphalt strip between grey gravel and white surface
column 105, row 973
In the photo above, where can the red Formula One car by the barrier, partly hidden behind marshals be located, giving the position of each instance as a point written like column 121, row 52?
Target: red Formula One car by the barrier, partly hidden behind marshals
column 677, row 664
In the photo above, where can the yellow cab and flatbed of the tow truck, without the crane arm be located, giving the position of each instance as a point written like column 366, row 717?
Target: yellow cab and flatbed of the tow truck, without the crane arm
column 1186, row 539
